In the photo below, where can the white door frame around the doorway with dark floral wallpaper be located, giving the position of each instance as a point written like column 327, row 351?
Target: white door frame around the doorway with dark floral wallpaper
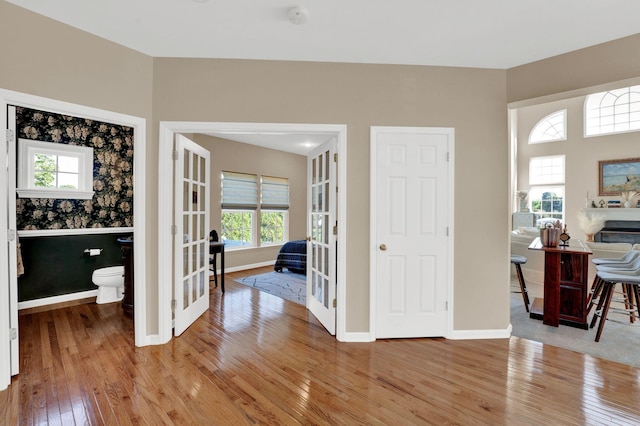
column 9, row 97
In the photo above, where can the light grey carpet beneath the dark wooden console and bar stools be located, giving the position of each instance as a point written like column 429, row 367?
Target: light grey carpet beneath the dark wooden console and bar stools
column 619, row 340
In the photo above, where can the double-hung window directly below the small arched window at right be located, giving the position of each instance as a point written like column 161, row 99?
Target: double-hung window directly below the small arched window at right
column 546, row 180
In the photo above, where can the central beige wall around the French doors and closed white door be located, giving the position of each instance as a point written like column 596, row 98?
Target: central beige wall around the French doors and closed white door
column 472, row 101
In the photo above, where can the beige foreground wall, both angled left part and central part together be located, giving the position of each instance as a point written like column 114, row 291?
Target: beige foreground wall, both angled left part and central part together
column 92, row 72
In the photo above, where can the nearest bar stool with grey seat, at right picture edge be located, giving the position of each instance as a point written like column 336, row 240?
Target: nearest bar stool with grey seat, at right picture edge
column 630, row 283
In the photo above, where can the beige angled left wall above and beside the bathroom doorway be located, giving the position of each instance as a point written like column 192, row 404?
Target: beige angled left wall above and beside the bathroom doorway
column 45, row 58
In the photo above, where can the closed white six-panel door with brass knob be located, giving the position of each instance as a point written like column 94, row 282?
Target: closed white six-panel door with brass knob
column 411, row 196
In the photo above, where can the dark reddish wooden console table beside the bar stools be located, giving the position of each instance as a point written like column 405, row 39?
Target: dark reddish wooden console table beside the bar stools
column 565, row 285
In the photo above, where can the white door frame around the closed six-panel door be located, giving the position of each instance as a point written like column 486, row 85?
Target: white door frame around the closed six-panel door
column 373, row 249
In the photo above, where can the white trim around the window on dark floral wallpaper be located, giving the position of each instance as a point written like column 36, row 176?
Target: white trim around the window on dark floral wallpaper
column 27, row 148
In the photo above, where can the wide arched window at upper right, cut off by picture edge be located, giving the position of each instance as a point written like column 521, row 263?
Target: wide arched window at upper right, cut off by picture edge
column 615, row 111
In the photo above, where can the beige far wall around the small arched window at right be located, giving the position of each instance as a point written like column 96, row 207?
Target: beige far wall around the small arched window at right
column 581, row 154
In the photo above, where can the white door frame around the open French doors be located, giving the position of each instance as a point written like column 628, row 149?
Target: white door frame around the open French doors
column 165, row 205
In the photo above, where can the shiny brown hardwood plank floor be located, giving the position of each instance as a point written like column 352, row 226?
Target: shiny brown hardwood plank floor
column 257, row 359
